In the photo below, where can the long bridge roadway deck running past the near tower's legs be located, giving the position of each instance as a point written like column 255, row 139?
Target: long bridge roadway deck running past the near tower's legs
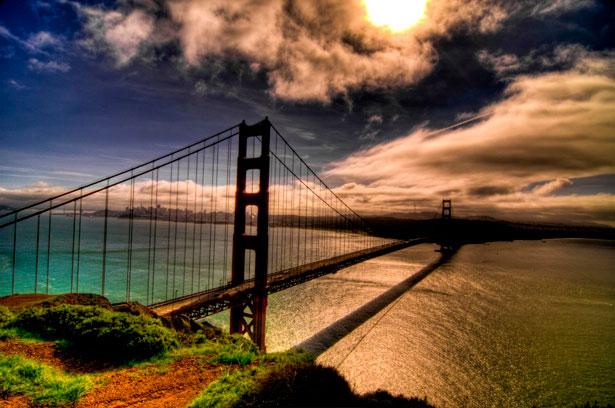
column 202, row 304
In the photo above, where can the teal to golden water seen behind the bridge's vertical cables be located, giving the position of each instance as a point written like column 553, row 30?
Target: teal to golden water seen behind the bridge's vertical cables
column 168, row 259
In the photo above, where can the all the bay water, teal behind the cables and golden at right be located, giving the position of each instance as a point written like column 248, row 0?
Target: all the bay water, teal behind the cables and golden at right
column 510, row 324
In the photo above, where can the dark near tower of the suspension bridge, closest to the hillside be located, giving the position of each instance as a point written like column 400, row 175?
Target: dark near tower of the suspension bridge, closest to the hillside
column 248, row 312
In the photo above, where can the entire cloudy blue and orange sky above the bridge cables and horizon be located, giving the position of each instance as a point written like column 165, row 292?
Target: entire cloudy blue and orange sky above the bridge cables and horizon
column 506, row 107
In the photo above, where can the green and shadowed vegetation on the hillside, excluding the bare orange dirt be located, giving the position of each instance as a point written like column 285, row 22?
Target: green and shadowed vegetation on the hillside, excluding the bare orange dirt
column 134, row 336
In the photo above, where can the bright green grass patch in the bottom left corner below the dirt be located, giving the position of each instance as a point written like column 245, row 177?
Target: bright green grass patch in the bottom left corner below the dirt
column 46, row 386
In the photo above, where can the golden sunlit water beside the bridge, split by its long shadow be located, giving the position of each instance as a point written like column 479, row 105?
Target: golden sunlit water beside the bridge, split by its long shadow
column 509, row 324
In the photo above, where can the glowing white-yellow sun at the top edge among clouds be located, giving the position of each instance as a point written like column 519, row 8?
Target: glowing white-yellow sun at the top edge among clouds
column 396, row 15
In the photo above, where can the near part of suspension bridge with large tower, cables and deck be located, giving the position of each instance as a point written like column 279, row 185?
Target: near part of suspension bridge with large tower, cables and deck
column 218, row 224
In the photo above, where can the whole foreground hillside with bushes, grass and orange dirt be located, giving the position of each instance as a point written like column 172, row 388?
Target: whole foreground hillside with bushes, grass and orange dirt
column 58, row 351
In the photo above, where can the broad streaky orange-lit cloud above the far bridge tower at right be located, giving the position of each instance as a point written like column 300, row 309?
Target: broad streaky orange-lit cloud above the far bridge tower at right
column 549, row 129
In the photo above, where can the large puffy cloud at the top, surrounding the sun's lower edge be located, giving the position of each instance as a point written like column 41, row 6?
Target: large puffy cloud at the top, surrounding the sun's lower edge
column 311, row 50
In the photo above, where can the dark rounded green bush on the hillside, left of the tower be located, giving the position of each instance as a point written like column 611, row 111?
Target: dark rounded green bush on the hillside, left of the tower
column 98, row 331
